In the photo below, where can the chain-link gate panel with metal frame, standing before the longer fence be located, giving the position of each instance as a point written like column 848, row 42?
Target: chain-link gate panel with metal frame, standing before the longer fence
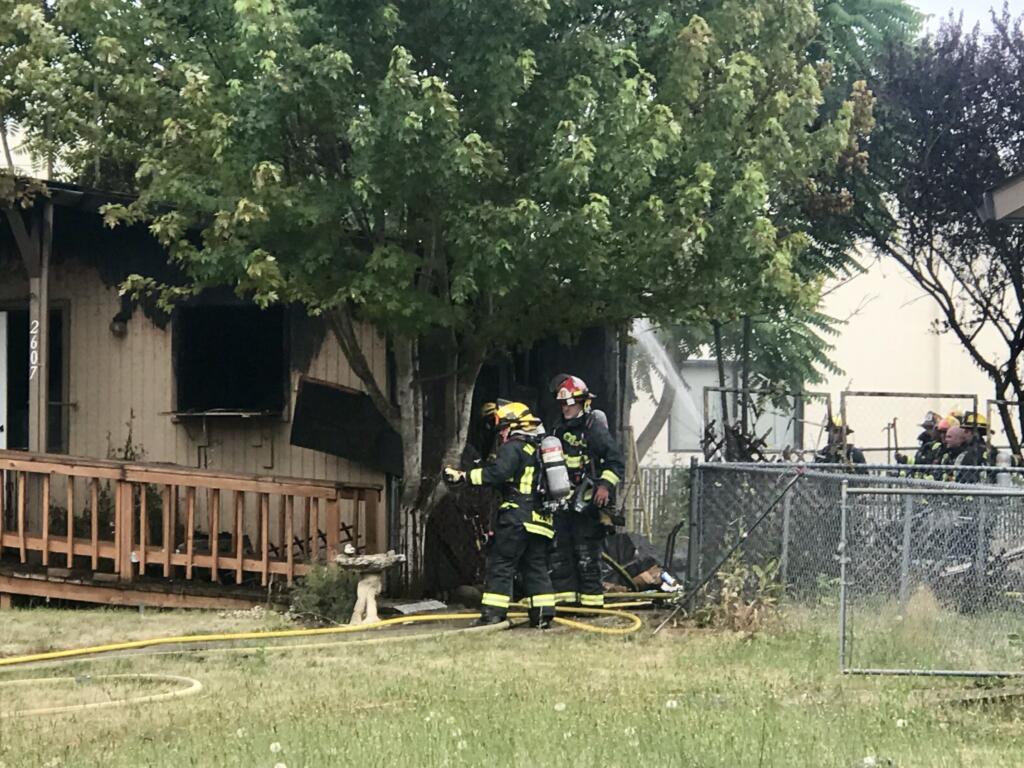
column 932, row 580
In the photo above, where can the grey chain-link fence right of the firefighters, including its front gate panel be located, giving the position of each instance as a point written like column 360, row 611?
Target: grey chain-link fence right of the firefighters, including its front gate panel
column 930, row 581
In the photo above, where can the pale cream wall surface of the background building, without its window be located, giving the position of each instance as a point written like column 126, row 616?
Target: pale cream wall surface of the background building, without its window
column 887, row 345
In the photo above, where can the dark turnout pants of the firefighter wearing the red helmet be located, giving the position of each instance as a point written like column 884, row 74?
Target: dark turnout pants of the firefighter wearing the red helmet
column 576, row 562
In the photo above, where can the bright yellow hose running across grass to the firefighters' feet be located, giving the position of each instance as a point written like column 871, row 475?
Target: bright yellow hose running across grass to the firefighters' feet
column 633, row 623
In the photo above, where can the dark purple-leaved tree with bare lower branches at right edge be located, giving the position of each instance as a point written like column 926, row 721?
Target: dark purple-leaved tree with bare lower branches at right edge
column 953, row 126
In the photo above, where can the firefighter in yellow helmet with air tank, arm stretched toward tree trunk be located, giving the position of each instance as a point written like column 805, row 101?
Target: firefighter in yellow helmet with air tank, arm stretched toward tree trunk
column 524, row 530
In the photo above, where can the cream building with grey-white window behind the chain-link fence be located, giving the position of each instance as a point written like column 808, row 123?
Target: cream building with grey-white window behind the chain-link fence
column 888, row 345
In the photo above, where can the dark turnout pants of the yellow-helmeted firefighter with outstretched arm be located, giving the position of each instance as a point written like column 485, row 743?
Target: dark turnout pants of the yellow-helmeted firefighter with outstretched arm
column 517, row 550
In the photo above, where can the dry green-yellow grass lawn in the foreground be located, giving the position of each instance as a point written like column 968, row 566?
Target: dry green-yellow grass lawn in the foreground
column 509, row 699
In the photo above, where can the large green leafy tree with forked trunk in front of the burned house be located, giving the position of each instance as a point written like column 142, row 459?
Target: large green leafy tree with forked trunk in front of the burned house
column 467, row 177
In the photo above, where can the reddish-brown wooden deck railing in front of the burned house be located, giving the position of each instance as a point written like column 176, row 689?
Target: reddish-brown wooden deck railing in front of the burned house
column 165, row 521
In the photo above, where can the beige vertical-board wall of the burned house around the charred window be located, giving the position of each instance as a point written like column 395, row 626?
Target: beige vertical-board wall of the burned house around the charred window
column 114, row 381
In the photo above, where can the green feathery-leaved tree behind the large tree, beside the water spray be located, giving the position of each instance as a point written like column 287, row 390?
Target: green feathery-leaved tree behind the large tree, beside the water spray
column 783, row 348
